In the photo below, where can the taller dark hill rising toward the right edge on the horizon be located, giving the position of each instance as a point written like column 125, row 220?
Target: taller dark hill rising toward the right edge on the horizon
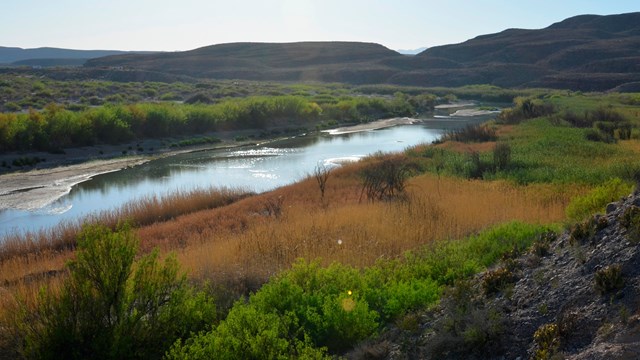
column 585, row 52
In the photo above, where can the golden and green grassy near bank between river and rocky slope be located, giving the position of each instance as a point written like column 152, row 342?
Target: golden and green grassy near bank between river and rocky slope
column 365, row 262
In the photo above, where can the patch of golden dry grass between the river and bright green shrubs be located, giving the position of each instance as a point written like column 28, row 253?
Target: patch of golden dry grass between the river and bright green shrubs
column 360, row 233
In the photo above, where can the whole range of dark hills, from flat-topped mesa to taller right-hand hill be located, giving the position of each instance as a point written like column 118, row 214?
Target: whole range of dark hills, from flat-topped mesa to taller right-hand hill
column 587, row 52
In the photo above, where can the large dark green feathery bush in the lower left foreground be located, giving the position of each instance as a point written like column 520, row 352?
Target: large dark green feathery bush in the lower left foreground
column 113, row 307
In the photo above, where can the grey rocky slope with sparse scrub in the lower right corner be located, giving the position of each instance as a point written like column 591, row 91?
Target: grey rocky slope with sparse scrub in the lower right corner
column 573, row 296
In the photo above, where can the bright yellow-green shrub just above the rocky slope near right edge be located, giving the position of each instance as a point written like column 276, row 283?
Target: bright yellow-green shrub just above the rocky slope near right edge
column 595, row 200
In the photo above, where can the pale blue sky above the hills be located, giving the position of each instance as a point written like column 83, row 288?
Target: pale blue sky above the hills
column 187, row 24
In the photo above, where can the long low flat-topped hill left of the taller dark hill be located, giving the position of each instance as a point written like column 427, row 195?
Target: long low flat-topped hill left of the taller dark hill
column 349, row 62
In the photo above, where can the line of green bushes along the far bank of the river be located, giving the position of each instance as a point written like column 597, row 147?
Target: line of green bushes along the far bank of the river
column 56, row 128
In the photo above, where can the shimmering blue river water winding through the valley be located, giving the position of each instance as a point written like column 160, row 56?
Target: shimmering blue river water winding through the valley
column 254, row 168
